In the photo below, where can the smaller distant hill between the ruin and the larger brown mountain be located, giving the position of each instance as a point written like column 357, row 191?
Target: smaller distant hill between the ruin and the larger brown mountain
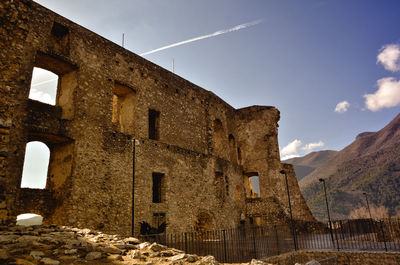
column 307, row 164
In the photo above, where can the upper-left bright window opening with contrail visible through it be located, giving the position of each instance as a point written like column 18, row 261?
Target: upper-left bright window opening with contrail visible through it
column 43, row 86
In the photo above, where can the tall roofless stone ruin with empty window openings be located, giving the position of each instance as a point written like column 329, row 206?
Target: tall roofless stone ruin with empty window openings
column 129, row 141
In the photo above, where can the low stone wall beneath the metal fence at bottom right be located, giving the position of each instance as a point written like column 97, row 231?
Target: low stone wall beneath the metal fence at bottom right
column 343, row 258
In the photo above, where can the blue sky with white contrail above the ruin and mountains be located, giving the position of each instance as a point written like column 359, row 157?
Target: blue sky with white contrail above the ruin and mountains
column 304, row 58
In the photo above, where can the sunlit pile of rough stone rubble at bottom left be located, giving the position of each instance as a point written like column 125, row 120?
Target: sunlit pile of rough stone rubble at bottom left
column 66, row 245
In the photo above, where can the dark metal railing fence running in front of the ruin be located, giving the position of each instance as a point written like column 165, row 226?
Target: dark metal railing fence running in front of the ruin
column 247, row 242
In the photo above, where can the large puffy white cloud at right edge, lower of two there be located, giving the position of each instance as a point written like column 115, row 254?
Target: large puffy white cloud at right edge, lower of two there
column 387, row 95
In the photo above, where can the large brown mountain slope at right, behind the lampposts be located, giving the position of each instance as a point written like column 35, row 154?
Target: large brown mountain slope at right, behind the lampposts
column 370, row 164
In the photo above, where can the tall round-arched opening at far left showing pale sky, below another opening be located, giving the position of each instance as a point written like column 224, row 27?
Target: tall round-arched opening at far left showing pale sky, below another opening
column 36, row 164
